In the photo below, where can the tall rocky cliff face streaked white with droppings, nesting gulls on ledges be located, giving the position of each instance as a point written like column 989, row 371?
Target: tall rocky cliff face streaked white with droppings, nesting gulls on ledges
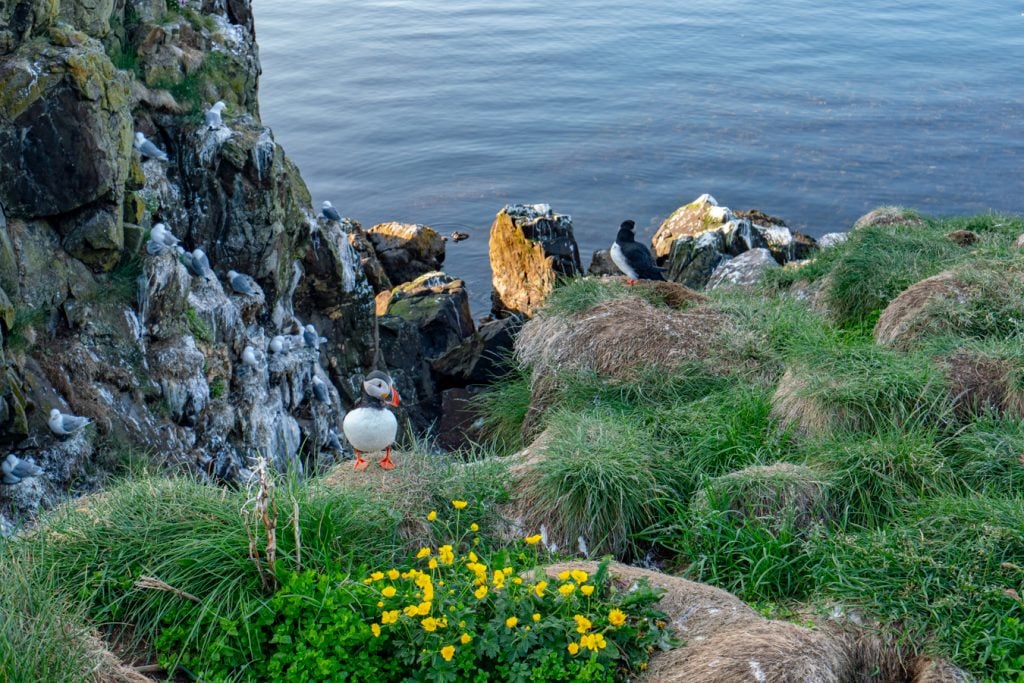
column 96, row 325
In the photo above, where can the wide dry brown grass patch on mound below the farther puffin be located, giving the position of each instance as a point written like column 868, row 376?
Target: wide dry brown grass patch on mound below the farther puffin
column 620, row 337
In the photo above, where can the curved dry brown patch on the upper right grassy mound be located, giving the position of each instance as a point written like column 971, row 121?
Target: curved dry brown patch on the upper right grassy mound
column 913, row 315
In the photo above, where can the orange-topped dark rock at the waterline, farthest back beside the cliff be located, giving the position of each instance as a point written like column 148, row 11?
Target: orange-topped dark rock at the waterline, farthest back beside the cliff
column 407, row 250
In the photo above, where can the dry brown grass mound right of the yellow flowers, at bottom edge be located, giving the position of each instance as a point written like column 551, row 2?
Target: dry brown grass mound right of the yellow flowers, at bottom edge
column 726, row 642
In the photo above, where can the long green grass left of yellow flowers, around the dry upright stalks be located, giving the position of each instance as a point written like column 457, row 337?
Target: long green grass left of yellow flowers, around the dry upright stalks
column 192, row 537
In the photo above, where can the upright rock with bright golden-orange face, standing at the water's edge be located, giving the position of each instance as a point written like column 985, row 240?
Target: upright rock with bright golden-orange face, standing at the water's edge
column 531, row 247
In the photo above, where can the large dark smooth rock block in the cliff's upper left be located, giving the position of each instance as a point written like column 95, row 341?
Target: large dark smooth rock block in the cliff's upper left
column 65, row 130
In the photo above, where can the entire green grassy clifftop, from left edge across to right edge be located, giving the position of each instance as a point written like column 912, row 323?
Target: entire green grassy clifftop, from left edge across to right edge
column 924, row 528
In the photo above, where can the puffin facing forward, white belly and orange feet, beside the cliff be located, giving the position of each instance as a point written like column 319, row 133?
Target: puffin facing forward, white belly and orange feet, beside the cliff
column 370, row 428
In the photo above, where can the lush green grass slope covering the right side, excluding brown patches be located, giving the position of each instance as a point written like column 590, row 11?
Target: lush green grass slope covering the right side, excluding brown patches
column 926, row 529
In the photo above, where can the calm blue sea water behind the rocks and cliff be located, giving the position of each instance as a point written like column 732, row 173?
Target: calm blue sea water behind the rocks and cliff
column 441, row 112
